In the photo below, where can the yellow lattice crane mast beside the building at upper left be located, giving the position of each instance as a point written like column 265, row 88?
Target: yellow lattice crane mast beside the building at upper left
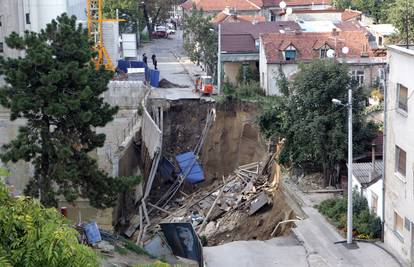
column 94, row 11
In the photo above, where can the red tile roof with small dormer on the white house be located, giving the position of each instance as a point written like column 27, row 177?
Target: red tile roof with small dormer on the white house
column 307, row 44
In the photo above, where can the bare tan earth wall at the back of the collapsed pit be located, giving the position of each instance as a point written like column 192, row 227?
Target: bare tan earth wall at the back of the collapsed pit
column 233, row 140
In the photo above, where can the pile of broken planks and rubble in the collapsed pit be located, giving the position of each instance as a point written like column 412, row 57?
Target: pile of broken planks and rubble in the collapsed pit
column 220, row 209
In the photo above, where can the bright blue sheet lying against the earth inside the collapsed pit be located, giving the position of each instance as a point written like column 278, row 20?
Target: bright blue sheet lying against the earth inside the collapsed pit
column 195, row 173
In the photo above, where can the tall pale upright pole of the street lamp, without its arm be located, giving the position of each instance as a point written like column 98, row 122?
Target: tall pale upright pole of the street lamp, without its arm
column 349, row 215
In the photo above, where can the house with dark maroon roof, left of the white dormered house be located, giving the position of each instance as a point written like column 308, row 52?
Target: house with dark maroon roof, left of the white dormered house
column 240, row 44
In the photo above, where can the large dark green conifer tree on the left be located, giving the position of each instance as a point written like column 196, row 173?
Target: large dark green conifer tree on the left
column 58, row 90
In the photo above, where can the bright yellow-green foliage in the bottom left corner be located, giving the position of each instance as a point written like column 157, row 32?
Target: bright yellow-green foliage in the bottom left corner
column 31, row 235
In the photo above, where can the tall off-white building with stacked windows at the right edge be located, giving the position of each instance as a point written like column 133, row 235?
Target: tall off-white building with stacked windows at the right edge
column 399, row 154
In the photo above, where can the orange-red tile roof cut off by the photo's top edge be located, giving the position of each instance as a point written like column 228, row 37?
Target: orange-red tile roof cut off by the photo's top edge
column 219, row 5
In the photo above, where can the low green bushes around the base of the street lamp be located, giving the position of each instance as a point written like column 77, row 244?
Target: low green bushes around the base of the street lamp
column 366, row 224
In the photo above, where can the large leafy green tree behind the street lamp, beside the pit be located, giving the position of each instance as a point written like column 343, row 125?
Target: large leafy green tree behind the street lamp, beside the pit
column 314, row 129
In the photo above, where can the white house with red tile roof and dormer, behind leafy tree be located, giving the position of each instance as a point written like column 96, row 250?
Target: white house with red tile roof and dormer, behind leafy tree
column 283, row 51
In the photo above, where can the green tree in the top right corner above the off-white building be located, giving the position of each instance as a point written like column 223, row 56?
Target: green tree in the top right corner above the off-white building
column 401, row 15
